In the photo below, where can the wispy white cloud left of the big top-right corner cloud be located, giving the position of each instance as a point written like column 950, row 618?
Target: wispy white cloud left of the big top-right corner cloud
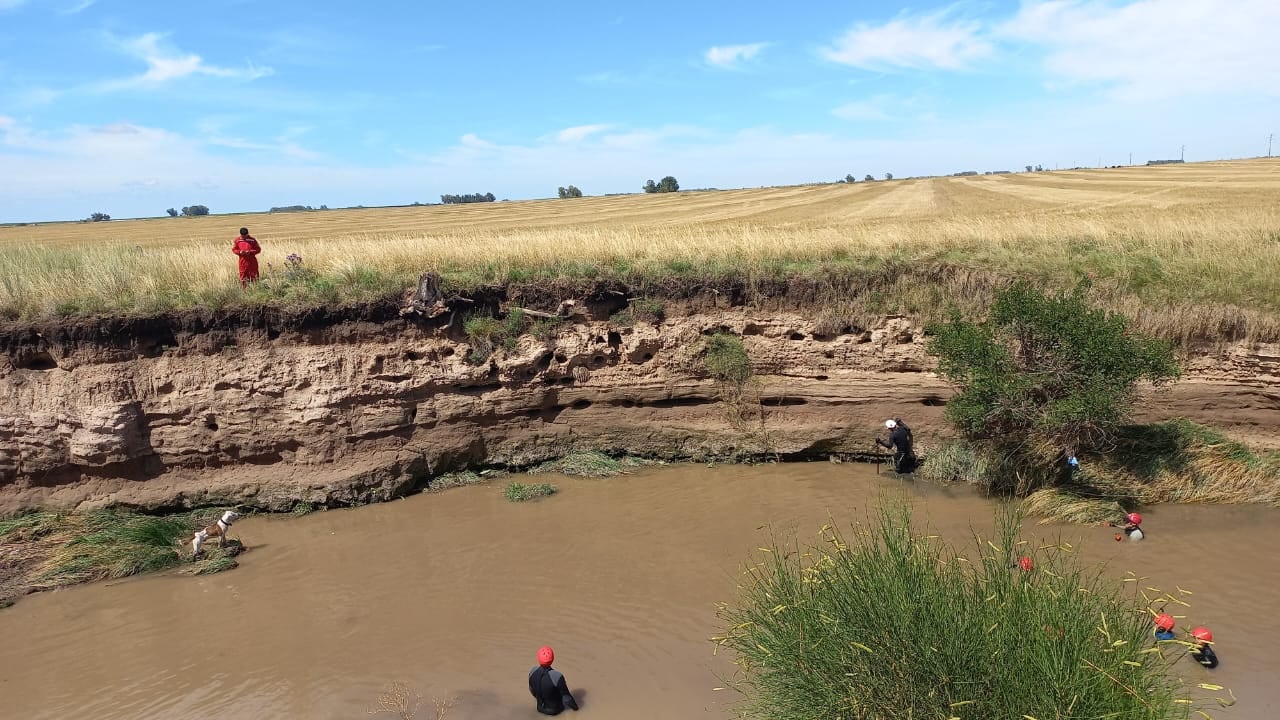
column 912, row 42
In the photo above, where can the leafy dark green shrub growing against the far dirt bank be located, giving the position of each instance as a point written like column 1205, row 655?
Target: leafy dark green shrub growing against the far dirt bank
column 1046, row 375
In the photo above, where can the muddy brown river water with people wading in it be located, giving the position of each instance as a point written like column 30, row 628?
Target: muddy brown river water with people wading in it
column 452, row 594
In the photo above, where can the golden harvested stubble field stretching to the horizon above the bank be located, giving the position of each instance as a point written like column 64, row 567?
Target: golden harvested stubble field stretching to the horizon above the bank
column 1197, row 234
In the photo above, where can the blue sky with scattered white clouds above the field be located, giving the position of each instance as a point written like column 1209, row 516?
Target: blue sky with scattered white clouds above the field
column 131, row 108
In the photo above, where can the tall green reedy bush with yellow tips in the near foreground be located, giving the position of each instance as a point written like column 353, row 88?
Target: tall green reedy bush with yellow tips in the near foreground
column 886, row 623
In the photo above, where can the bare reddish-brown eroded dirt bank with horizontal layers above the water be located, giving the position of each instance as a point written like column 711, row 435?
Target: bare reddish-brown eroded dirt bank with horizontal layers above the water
column 341, row 409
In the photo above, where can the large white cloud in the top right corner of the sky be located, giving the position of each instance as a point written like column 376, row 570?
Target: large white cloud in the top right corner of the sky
column 1155, row 48
